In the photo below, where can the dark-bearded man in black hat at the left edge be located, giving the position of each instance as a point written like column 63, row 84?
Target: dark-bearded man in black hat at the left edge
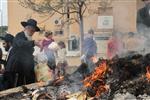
column 9, row 75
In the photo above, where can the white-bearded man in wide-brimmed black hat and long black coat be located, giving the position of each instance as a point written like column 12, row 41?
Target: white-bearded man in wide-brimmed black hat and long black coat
column 22, row 61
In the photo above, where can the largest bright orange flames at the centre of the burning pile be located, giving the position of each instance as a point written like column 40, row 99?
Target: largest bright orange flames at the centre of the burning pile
column 95, row 80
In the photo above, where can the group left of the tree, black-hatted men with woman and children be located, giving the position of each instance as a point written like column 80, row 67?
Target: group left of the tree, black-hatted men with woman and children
column 19, row 64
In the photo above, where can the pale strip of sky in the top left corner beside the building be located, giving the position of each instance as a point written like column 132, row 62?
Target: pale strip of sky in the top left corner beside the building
column 3, row 12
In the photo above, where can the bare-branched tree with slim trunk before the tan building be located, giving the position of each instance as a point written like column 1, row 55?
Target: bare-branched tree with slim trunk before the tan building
column 63, row 7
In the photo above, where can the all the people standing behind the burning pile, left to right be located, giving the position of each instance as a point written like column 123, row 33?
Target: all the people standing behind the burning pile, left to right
column 19, row 64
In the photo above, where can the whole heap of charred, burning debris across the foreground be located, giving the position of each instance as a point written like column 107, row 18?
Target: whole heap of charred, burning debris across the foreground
column 115, row 79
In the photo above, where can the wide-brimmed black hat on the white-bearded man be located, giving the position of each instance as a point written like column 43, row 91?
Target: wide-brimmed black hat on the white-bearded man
column 31, row 22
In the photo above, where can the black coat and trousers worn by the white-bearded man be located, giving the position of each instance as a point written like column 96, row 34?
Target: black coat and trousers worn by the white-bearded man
column 22, row 61
